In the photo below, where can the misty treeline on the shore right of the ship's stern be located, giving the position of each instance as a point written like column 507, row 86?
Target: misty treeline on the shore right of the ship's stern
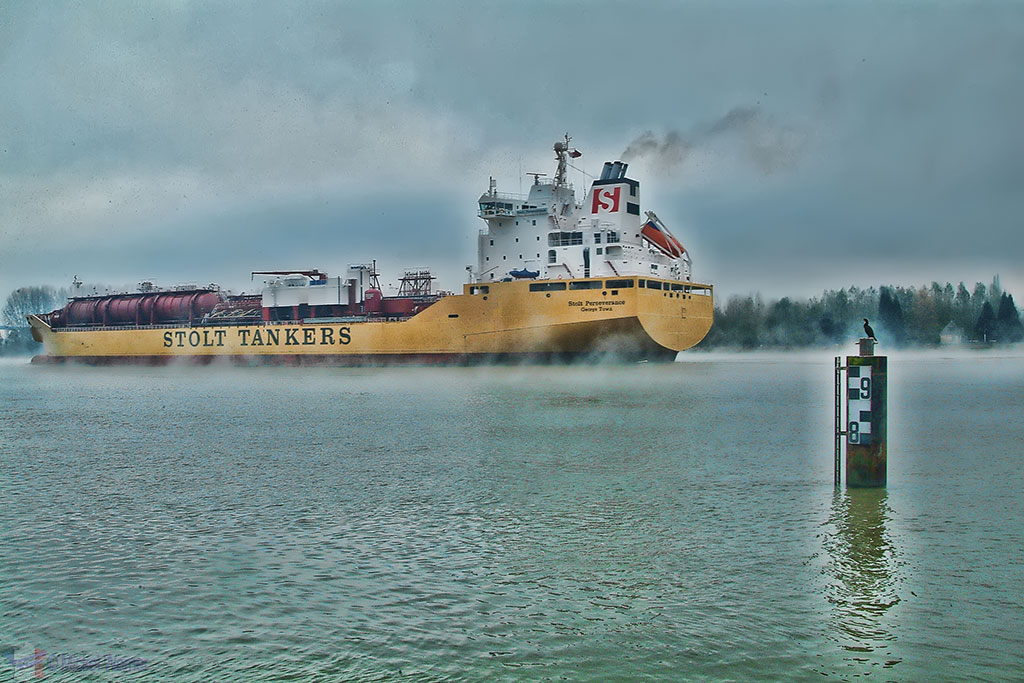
column 901, row 317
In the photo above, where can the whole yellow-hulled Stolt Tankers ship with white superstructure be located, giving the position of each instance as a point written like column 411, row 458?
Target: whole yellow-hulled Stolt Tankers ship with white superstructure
column 556, row 279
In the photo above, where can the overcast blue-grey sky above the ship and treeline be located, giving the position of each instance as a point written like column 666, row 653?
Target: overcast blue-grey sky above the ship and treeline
column 792, row 147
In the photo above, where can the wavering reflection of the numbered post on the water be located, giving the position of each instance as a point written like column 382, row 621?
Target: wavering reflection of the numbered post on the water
column 864, row 569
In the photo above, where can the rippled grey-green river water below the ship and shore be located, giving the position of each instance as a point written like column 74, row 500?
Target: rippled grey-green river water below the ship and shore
column 657, row 523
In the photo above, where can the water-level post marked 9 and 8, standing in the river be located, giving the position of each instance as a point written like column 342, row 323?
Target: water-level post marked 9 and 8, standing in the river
column 867, row 423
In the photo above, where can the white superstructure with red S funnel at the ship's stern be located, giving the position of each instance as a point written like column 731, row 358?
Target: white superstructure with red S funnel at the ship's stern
column 549, row 234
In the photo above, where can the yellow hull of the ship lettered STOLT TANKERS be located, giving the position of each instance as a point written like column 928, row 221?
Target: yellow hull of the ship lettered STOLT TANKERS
column 497, row 320
